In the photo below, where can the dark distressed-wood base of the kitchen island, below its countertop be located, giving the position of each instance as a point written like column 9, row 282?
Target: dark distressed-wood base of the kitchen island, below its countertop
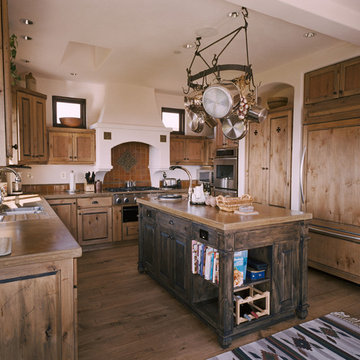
column 169, row 251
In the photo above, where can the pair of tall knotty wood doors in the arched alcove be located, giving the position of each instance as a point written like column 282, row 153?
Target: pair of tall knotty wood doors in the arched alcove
column 268, row 159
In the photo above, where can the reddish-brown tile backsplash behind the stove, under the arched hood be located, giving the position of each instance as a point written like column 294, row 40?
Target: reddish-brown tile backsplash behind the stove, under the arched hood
column 130, row 161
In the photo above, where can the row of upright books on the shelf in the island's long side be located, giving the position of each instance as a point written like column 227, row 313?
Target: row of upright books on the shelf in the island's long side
column 205, row 261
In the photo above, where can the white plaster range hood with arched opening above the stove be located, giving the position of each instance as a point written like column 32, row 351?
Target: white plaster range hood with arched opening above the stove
column 130, row 114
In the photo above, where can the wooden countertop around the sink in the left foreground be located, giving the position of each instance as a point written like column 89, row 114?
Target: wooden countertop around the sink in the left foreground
column 36, row 237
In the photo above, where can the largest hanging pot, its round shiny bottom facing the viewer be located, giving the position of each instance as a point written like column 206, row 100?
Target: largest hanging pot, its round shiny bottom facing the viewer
column 219, row 100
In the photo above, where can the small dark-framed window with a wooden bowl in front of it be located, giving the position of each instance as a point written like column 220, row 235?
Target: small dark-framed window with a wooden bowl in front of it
column 68, row 107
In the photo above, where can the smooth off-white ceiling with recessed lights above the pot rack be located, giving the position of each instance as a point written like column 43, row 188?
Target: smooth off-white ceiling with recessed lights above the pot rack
column 141, row 41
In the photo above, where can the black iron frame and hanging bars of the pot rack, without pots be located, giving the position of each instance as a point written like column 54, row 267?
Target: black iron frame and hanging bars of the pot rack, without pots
column 215, row 68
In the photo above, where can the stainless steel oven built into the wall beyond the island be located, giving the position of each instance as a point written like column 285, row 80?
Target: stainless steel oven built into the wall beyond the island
column 226, row 170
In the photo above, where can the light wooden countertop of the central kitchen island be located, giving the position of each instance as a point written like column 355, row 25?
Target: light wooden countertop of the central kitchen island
column 214, row 217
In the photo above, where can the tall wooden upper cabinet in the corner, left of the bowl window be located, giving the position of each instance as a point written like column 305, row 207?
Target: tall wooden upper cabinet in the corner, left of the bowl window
column 29, row 112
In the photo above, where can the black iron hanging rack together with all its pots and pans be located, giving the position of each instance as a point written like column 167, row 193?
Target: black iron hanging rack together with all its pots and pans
column 238, row 104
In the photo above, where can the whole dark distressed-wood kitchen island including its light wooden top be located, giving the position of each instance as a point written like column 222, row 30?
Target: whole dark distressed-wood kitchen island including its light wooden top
column 275, row 237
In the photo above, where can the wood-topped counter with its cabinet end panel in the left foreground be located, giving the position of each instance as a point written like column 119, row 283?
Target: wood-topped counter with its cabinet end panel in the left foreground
column 38, row 286
